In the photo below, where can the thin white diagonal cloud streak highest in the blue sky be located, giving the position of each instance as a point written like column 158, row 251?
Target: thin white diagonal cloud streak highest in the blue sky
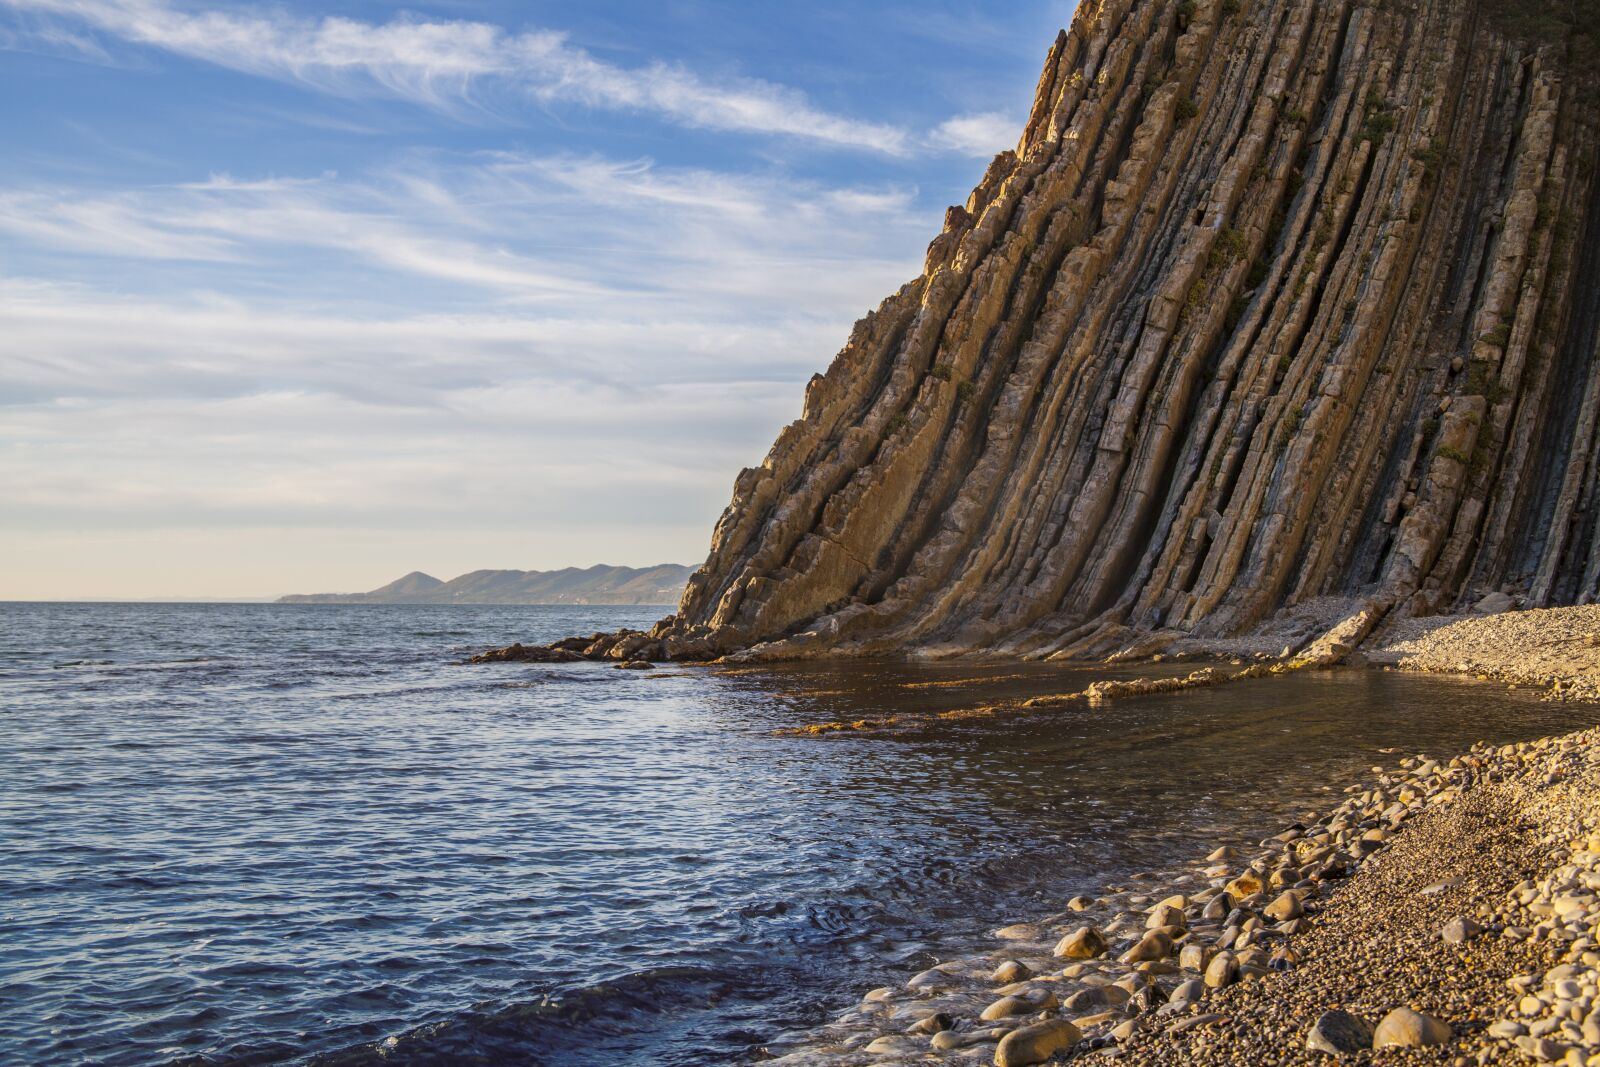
column 446, row 63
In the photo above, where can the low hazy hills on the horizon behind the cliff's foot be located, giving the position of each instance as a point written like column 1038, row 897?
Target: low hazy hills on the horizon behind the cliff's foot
column 599, row 585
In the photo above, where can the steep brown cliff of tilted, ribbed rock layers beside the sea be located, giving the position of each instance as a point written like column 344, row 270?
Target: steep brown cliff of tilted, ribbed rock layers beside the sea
column 1276, row 302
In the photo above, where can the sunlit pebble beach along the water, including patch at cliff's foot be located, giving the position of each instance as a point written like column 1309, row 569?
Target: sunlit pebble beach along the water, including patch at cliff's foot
column 1446, row 913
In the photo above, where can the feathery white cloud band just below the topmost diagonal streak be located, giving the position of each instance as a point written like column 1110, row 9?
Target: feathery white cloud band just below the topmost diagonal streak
column 572, row 231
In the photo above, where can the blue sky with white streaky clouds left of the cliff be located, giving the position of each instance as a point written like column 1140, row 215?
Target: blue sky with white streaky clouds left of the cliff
column 303, row 297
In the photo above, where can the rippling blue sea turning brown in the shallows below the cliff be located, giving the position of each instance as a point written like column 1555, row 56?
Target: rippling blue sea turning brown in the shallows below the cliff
column 276, row 834
